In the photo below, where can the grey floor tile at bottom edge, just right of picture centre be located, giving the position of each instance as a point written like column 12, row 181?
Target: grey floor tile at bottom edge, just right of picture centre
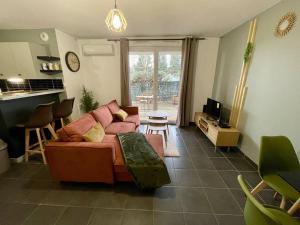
column 162, row 218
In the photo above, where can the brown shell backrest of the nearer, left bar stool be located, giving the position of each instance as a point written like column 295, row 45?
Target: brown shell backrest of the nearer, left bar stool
column 41, row 116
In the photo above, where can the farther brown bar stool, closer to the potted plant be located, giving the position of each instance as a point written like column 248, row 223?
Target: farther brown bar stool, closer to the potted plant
column 62, row 111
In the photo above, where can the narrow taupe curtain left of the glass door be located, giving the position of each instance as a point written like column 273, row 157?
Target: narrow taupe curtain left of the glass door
column 124, row 69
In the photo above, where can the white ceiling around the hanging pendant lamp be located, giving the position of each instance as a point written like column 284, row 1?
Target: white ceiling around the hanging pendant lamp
column 85, row 18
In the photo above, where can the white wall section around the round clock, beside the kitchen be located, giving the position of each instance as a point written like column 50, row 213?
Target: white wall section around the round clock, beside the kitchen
column 73, row 81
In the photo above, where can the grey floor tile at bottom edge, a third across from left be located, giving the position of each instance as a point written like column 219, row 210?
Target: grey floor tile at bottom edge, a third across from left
column 106, row 217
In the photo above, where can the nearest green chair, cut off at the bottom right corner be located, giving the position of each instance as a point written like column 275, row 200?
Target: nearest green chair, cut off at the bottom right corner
column 257, row 214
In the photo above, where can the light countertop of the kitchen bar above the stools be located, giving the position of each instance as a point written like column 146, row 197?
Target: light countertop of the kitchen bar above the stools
column 5, row 96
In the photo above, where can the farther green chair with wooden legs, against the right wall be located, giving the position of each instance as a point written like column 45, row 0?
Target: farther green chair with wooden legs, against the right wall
column 277, row 154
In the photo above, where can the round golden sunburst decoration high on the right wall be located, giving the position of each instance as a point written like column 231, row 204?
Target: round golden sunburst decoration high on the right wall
column 285, row 24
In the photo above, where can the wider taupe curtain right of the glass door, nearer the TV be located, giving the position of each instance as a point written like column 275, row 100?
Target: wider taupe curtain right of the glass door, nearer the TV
column 189, row 49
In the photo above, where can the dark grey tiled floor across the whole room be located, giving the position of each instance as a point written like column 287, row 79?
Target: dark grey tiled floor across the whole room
column 204, row 191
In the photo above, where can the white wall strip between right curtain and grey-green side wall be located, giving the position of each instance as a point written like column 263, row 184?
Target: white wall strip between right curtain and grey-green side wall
column 204, row 73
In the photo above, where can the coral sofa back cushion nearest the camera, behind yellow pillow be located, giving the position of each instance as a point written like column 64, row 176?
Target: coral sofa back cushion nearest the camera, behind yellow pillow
column 75, row 130
